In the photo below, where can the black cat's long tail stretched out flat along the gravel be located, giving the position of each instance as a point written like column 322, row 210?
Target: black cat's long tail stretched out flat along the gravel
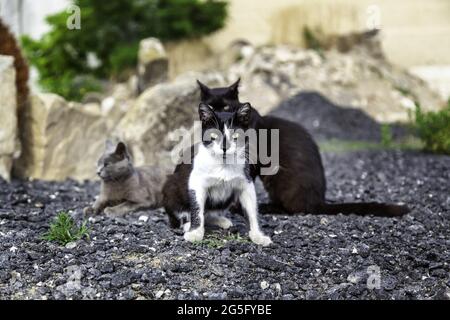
column 363, row 208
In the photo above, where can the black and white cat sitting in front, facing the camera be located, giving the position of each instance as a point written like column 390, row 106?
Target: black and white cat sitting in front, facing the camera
column 218, row 176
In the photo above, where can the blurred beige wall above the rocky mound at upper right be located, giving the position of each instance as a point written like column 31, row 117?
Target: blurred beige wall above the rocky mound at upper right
column 415, row 32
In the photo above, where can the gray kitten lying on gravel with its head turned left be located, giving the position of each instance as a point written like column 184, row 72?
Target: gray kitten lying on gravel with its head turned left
column 125, row 188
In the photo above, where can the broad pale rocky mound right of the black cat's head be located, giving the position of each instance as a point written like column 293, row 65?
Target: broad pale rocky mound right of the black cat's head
column 358, row 78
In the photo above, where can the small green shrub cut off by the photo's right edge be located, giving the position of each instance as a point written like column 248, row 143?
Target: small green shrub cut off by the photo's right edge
column 433, row 129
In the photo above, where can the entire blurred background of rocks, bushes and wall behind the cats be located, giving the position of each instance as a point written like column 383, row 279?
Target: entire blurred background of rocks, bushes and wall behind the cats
column 357, row 74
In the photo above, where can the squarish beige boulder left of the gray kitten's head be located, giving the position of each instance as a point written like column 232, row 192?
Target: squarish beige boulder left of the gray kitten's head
column 60, row 140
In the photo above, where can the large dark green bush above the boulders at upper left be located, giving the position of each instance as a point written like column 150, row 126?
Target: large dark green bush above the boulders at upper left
column 111, row 31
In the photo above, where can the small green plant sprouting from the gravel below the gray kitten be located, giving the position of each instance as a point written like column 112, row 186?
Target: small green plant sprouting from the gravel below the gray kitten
column 64, row 230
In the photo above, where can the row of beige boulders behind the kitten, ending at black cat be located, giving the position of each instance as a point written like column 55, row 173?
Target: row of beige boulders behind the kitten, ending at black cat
column 65, row 139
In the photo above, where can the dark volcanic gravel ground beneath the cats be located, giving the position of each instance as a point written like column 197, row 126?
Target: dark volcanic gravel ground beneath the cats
column 313, row 257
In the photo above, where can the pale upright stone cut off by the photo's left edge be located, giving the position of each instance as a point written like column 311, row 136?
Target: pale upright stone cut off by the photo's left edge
column 8, row 120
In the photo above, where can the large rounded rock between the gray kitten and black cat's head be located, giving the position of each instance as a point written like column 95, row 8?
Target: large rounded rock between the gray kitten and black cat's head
column 150, row 126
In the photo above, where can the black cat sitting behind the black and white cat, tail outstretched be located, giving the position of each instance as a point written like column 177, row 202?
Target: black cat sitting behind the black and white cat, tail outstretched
column 299, row 185
